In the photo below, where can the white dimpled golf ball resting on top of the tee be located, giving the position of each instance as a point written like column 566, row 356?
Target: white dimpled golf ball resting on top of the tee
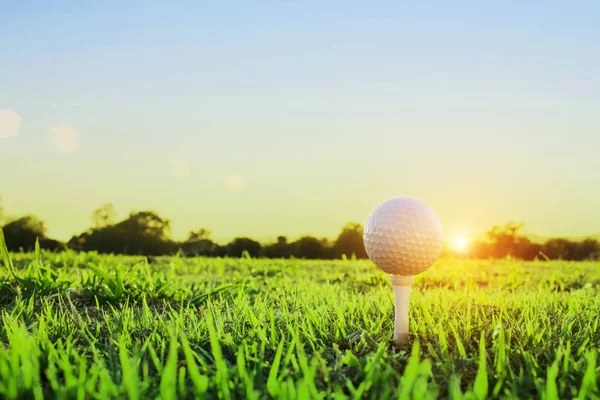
column 403, row 236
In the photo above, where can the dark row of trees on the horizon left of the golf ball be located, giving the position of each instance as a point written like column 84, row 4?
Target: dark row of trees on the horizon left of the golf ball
column 147, row 233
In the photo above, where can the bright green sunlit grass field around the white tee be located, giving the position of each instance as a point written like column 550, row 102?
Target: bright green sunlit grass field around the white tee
column 90, row 326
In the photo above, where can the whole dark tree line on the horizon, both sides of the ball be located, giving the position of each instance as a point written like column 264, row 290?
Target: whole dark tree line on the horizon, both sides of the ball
column 147, row 233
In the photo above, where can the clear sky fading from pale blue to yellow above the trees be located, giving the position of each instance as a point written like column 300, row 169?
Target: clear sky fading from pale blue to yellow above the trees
column 268, row 118
